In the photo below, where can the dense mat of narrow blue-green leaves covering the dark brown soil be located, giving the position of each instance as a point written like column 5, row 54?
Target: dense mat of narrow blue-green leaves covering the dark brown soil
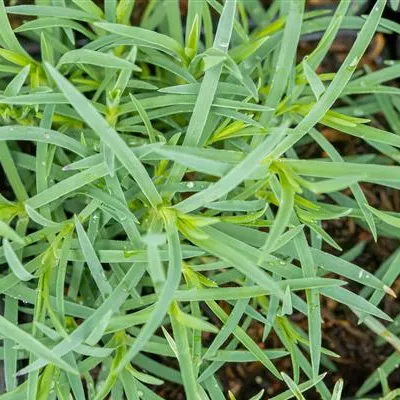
column 156, row 204
